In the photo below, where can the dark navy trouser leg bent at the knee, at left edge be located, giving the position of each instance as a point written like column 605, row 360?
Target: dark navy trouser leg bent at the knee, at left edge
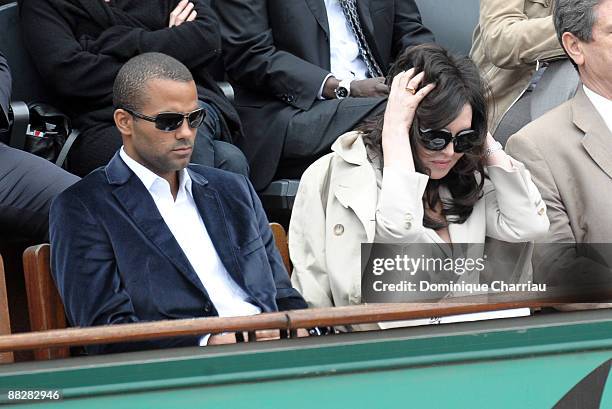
column 28, row 184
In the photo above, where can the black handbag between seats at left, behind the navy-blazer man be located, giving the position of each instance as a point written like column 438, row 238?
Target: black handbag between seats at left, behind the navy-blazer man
column 48, row 134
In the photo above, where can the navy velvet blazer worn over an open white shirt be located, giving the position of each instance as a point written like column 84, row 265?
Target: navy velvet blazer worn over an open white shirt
column 115, row 260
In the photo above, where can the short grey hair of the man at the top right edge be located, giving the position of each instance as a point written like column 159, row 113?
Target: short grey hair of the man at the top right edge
column 576, row 17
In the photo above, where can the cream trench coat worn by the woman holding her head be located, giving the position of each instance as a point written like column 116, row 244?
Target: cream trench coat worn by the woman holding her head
column 339, row 206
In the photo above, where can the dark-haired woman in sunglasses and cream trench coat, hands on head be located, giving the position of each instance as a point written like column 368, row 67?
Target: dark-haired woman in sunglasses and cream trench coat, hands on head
column 412, row 175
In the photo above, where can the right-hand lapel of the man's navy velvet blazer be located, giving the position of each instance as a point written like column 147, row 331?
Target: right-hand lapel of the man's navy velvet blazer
column 211, row 211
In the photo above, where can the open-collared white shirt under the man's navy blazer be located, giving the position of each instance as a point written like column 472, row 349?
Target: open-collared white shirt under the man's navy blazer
column 184, row 221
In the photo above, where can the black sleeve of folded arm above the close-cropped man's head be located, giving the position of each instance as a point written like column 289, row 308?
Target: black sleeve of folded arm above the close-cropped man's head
column 195, row 43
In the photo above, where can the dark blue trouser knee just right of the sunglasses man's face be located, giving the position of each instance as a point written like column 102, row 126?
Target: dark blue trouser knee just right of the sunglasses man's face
column 209, row 151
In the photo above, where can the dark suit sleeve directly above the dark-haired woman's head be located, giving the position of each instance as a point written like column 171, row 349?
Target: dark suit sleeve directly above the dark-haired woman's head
column 408, row 28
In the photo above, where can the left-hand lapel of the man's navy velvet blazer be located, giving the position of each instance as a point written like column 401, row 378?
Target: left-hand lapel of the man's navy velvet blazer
column 140, row 207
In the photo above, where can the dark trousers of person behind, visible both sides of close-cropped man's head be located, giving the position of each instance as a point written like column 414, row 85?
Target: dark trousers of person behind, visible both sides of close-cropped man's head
column 97, row 145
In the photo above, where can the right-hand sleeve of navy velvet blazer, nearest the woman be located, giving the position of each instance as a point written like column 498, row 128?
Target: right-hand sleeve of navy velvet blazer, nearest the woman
column 287, row 297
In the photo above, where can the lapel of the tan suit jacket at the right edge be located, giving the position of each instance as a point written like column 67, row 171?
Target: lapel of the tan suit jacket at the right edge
column 597, row 139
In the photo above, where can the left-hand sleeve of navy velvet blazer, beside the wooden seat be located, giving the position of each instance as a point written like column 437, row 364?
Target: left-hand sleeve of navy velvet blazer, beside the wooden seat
column 85, row 272
